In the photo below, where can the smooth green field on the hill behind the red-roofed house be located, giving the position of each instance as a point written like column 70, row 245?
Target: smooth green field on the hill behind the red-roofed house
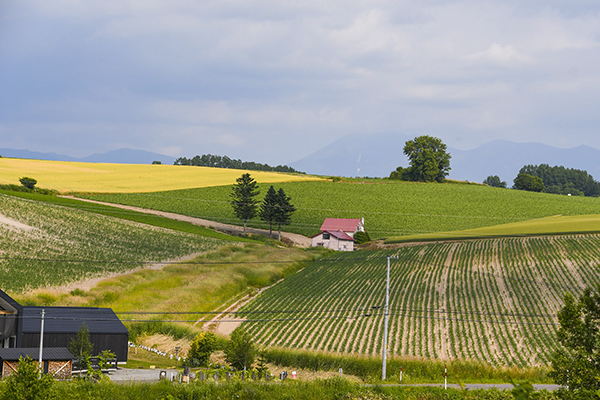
column 390, row 208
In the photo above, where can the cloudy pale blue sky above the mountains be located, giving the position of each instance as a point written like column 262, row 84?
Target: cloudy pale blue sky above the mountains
column 275, row 80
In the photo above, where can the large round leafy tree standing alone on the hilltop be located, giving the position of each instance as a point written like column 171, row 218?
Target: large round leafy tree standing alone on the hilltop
column 429, row 160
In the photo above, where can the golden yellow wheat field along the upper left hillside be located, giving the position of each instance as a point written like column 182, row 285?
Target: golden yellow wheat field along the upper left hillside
column 126, row 178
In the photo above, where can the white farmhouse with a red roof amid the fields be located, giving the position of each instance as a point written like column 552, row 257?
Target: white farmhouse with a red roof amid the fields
column 338, row 233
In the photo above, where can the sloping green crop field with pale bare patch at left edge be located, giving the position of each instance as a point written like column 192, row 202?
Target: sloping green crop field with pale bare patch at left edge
column 48, row 245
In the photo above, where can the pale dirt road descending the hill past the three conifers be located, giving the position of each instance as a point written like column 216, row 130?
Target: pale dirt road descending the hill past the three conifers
column 298, row 240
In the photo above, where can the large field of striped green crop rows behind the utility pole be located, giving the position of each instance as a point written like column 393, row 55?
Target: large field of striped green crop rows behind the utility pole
column 493, row 300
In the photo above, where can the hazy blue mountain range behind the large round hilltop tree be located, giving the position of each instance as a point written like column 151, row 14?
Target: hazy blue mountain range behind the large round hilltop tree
column 378, row 155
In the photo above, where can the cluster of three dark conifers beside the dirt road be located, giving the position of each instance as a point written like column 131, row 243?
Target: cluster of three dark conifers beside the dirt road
column 276, row 207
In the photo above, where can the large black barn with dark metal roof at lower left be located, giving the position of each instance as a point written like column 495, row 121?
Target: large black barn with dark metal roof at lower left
column 20, row 327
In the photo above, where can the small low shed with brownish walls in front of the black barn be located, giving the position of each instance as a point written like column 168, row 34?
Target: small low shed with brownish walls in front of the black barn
column 57, row 361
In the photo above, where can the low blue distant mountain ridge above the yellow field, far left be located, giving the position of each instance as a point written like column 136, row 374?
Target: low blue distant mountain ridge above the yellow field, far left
column 120, row 156
